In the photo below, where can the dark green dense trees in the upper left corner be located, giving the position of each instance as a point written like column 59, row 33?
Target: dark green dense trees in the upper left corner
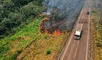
column 15, row 13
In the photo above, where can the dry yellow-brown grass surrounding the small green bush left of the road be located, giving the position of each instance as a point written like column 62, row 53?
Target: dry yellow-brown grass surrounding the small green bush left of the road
column 37, row 50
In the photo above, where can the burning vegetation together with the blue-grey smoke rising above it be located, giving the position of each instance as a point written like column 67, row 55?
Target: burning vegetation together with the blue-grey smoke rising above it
column 59, row 18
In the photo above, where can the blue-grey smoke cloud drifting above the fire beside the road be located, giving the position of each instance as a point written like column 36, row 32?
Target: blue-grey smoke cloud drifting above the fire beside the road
column 69, row 9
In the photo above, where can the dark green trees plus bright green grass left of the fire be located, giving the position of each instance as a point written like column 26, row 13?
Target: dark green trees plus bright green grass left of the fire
column 18, row 23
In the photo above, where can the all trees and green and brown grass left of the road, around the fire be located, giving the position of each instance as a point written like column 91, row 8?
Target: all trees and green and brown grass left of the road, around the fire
column 20, row 37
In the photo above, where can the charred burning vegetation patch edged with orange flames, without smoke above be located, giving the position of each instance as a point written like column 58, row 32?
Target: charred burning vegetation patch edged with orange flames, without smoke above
column 51, row 23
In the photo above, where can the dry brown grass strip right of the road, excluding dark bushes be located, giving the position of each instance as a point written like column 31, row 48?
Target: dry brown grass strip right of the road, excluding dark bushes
column 97, row 51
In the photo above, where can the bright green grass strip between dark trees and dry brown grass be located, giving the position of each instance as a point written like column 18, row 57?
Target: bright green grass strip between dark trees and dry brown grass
column 19, row 40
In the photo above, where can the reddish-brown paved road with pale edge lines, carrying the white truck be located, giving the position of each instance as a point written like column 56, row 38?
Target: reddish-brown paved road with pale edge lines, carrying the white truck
column 79, row 49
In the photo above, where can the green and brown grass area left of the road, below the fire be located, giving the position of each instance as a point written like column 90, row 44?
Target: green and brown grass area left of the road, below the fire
column 28, row 43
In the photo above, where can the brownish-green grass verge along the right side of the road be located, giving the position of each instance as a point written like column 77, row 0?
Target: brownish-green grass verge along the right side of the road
column 97, row 35
